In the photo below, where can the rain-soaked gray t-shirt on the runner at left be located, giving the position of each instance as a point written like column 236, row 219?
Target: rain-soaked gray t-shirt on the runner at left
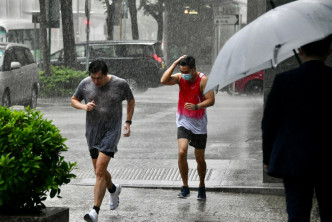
column 103, row 124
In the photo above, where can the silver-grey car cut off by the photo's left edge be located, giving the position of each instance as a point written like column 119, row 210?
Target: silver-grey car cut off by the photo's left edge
column 19, row 76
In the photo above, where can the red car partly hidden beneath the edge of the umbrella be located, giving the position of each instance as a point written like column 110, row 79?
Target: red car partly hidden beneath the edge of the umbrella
column 250, row 85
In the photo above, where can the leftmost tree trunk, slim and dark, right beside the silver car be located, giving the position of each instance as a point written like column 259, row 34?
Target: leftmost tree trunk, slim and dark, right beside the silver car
column 43, row 38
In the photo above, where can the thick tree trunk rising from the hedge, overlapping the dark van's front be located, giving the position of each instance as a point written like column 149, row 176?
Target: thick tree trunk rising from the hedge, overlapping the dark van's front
column 69, row 52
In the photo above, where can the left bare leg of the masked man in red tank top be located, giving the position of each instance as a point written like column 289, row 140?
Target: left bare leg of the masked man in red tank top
column 182, row 161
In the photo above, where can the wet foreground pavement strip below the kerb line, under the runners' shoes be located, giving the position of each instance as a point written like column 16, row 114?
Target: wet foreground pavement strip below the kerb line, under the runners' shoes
column 162, row 205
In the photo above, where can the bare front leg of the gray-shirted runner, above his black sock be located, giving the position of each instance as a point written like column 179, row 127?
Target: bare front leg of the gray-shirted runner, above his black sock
column 103, row 177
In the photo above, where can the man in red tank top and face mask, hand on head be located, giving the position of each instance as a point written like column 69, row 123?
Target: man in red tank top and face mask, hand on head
column 191, row 118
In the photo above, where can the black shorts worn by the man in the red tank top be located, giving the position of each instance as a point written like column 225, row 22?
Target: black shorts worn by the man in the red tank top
column 196, row 140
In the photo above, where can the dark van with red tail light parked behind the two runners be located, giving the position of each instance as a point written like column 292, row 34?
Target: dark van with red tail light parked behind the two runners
column 141, row 63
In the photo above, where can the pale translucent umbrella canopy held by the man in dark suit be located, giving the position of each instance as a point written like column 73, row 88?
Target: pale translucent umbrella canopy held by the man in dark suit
column 270, row 39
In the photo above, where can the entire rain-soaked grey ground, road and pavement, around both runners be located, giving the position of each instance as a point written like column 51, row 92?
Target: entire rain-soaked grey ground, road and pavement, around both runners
column 146, row 164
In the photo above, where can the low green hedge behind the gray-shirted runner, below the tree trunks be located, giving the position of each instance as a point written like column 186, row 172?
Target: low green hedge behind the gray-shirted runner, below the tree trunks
column 62, row 82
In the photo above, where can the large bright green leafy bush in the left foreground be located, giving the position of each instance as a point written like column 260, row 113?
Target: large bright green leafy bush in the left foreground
column 30, row 161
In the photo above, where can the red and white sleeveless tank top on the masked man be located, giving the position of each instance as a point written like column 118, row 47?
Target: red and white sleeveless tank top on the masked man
column 193, row 120
